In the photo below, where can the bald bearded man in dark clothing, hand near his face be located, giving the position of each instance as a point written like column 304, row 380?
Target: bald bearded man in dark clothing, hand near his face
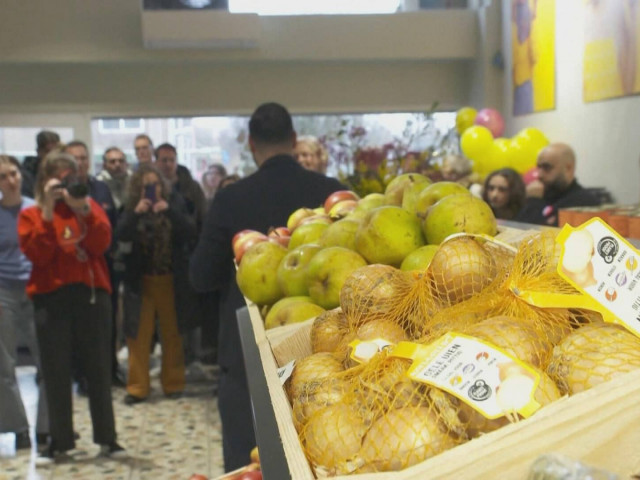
column 556, row 187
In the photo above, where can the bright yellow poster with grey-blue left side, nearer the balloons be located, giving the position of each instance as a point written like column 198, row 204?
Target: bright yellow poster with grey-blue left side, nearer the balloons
column 533, row 38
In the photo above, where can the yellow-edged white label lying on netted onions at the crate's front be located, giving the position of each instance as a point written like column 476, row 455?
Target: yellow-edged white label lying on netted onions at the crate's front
column 480, row 374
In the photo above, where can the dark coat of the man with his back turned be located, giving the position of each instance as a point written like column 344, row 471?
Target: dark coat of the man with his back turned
column 262, row 200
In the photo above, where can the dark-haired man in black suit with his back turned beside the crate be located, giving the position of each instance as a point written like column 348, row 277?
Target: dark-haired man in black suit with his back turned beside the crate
column 262, row 200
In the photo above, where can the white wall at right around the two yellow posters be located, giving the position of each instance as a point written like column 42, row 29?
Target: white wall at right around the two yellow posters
column 604, row 134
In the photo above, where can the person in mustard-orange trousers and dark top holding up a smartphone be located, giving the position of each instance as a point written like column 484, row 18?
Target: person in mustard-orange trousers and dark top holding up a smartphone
column 154, row 234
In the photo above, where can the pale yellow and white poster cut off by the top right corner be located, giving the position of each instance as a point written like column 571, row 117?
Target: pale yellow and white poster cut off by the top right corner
column 611, row 55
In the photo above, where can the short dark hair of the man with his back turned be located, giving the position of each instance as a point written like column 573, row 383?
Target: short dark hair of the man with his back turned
column 271, row 124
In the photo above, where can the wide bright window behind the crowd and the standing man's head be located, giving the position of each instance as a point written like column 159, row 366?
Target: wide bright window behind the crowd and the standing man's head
column 201, row 141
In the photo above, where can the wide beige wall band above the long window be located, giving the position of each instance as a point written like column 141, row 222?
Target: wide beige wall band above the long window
column 87, row 56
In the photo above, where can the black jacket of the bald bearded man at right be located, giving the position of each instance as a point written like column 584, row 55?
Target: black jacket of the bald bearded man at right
column 544, row 211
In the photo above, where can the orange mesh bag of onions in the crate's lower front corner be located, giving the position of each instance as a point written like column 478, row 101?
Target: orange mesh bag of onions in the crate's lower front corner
column 389, row 416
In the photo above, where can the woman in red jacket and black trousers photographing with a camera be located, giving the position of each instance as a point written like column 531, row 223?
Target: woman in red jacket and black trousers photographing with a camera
column 65, row 236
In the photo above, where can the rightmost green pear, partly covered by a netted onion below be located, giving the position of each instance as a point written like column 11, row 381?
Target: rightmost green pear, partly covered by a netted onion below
column 458, row 213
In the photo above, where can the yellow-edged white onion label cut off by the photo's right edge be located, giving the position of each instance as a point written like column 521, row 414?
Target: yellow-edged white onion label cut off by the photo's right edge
column 604, row 266
